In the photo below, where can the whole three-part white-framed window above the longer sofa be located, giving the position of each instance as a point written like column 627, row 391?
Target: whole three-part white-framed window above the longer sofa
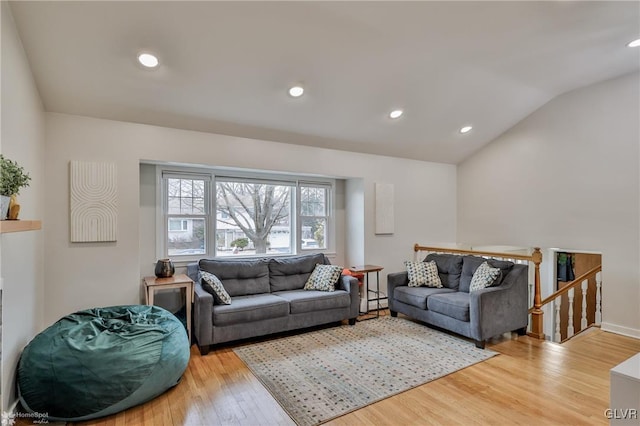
column 207, row 215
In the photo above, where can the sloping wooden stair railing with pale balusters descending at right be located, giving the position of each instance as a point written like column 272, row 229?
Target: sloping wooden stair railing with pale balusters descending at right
column 569, row 290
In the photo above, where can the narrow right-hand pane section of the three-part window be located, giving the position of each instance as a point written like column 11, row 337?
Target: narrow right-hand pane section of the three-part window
column 314, row 215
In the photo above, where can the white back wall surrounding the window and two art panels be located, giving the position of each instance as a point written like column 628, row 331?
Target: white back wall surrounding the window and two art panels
column 80, row 276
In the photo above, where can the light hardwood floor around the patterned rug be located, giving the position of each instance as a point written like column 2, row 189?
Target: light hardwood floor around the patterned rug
column 530, row 382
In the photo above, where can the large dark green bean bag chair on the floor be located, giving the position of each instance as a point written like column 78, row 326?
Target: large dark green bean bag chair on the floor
column 100, row 361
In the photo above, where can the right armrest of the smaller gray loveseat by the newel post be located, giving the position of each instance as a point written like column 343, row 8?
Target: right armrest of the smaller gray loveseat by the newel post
column 497, row 310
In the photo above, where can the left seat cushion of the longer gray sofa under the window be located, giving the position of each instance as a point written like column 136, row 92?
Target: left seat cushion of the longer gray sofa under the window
column 246, row 309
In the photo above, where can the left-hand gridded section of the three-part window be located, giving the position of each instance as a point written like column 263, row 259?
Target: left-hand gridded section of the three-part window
column 186, row 213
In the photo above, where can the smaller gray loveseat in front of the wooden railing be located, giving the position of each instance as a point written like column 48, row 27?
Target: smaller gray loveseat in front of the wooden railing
column 478, row 315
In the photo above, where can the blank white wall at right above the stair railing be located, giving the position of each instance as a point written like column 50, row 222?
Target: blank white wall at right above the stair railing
column 567, row 176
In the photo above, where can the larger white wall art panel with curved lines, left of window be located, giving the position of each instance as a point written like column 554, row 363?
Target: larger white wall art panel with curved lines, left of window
column 93, row 201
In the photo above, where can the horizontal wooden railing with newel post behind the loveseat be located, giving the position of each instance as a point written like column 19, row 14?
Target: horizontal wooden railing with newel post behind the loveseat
column 535, row 258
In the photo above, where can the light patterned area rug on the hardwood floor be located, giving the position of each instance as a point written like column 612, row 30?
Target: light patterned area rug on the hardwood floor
column 320, row 375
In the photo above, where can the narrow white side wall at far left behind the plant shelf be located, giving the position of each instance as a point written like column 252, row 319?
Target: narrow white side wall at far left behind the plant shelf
column 22, row 253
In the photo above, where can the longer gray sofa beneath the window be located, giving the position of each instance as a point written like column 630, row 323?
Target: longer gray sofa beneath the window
column 267, row 296
